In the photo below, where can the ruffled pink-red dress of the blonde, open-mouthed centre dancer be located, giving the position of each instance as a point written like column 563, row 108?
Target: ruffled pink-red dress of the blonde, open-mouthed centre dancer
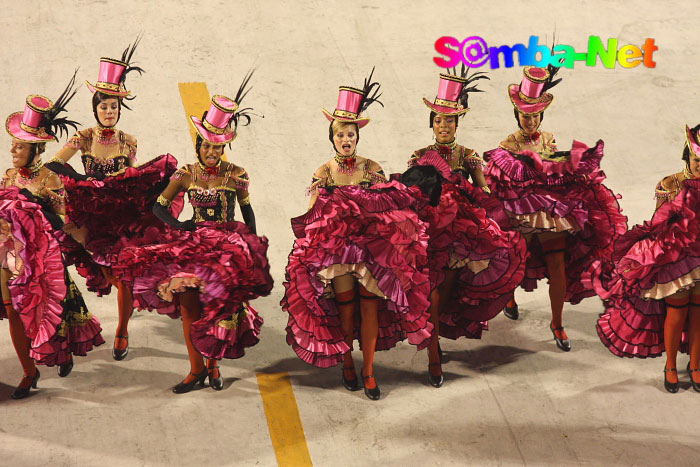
column 373, row 234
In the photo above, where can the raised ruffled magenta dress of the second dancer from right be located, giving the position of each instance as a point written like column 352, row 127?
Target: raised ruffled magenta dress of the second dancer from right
column 559, row 194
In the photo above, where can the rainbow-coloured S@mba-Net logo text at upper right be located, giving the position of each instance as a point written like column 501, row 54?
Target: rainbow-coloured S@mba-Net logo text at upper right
column 474, row 53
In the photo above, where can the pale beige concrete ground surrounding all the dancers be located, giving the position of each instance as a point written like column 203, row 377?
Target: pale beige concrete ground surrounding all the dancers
column 510, row 399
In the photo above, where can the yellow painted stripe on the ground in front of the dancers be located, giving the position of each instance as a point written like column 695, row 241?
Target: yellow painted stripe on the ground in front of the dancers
column 283, row 419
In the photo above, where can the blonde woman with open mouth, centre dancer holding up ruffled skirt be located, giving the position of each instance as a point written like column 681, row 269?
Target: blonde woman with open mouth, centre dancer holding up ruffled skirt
column 355, row 246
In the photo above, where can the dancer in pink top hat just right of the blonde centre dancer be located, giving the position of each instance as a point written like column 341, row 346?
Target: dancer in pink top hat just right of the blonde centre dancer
column 474, row 265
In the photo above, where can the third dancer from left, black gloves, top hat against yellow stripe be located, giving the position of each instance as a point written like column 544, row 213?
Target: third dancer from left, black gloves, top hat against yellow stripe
column 207, row 268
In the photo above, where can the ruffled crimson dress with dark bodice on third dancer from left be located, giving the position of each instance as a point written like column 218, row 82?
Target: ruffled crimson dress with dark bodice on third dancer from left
column 223, row 259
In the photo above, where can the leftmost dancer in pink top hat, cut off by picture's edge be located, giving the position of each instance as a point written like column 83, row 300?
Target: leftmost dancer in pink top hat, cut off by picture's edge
column 49, row 321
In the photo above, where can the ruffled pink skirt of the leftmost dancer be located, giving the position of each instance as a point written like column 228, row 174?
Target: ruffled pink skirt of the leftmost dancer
column 40, row 285
